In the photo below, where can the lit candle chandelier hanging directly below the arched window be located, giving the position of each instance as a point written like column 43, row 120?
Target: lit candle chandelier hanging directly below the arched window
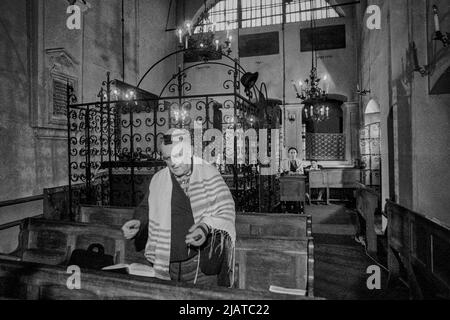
column 205, row 37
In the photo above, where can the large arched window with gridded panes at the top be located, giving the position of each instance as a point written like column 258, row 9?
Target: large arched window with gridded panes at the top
column 255, row 13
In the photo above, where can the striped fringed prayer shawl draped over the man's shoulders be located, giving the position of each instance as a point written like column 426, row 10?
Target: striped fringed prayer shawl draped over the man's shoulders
column 211, row 203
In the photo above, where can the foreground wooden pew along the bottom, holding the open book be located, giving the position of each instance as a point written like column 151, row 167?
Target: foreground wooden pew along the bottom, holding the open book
column 22, row 280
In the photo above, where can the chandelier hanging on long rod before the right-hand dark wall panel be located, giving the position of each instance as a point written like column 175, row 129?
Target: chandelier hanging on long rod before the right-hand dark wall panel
column 312, row 95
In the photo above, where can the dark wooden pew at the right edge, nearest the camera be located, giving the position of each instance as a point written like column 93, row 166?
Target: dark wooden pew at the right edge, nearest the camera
column 420, row 245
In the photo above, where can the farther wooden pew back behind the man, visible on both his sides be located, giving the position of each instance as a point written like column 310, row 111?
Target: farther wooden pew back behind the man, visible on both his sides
column 247, row 224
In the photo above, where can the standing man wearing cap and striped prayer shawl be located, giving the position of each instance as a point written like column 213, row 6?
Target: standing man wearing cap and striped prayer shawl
column 189, row 230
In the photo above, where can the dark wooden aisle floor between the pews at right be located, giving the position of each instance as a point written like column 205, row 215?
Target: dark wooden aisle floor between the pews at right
column 341, row 262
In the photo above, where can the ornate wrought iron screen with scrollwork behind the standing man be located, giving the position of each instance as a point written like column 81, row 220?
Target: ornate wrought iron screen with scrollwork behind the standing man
column 113, row 145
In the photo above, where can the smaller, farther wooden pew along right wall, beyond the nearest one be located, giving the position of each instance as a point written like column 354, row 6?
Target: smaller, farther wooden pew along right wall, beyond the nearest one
column 367, row 203
